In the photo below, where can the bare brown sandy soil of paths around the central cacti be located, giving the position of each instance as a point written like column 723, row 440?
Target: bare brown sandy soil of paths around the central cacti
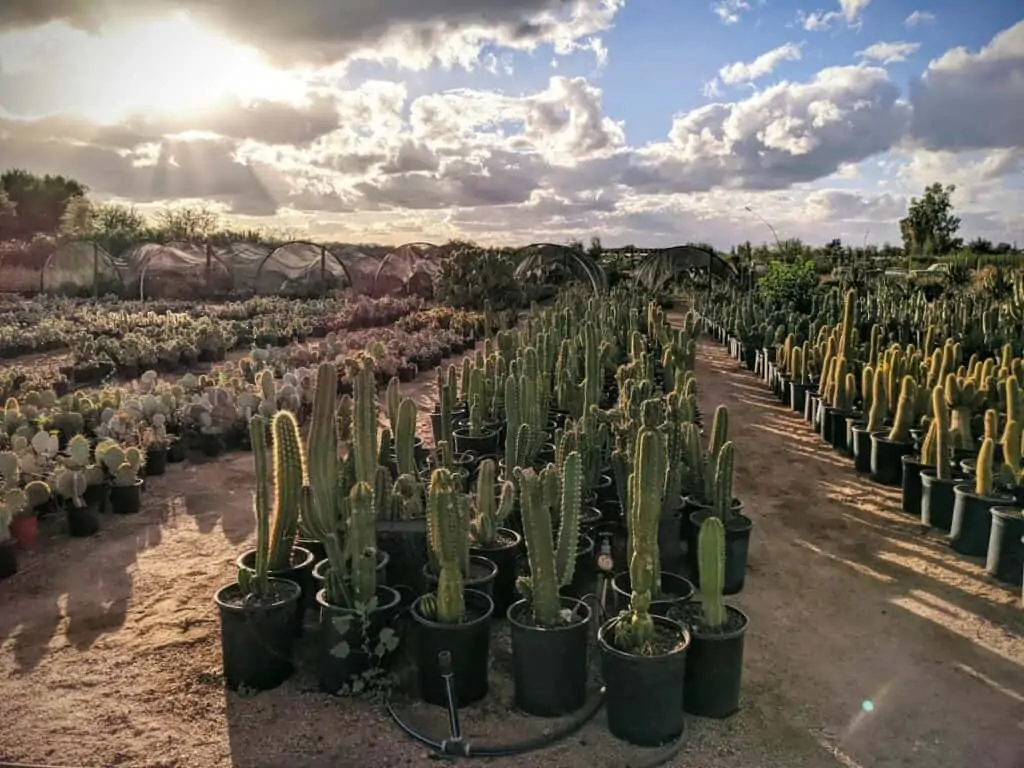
column 872, row 646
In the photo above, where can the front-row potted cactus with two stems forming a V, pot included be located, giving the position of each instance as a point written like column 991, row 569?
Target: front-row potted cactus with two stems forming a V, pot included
column 549, row 632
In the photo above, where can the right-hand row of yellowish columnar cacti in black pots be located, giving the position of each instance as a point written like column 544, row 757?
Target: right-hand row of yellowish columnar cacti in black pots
column 924, row 415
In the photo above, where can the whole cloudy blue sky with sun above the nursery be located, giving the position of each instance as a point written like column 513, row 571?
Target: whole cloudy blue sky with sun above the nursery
column 511, row 122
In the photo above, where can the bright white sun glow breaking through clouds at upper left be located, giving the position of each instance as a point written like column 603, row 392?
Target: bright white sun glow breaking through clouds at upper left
column 168, row 66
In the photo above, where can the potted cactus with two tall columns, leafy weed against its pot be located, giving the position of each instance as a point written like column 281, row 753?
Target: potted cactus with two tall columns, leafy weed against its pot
column 357, row 609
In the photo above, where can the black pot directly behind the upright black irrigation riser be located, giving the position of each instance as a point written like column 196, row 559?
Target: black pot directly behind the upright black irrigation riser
column 470, row 647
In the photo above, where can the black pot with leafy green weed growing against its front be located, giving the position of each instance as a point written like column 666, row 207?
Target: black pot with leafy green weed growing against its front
column 335, row 669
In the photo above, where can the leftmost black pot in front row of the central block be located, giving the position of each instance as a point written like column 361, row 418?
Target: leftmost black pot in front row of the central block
column 257, row 637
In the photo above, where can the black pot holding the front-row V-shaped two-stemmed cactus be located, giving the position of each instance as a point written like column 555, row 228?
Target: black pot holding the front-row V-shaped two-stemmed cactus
column 549, row 666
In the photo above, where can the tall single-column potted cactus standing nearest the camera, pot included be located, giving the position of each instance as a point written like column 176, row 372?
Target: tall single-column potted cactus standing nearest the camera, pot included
column 644, row 657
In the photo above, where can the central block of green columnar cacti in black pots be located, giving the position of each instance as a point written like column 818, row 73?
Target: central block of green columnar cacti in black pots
column 568, row 455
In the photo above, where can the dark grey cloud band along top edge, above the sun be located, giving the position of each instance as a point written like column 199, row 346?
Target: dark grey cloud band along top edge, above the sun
column 414, row 34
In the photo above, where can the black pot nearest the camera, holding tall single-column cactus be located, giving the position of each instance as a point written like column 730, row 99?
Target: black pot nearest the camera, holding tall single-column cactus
column 645, row 695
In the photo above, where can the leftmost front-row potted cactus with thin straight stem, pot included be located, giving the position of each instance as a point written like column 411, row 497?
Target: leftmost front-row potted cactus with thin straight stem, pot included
column 258, row 613
